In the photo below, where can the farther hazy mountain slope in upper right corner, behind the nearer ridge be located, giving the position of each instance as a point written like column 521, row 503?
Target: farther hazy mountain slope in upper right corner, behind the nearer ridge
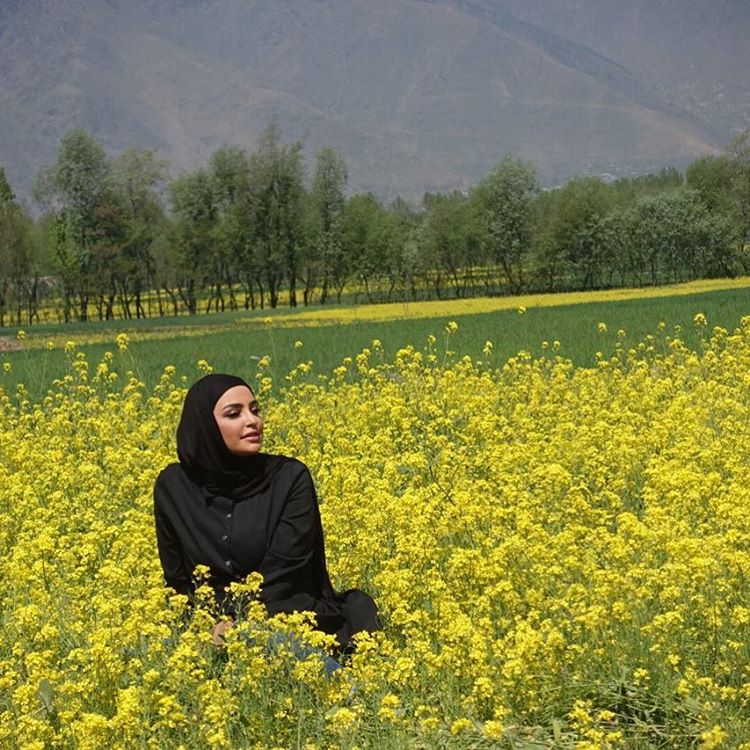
column 694, row 55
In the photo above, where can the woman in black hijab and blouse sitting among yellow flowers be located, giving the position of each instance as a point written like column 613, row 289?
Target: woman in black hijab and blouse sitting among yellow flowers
column 237, row 510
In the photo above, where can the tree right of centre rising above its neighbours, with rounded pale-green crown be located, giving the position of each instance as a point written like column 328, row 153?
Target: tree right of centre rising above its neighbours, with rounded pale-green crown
column 504, row 199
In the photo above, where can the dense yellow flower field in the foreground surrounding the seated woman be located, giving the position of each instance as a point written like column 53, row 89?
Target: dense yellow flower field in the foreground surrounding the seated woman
column 561, row 557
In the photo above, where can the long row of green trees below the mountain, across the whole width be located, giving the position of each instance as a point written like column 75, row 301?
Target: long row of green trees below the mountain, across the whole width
column 116, row 238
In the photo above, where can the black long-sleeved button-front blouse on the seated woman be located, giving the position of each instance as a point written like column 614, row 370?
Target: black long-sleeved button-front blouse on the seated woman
column 276, row 532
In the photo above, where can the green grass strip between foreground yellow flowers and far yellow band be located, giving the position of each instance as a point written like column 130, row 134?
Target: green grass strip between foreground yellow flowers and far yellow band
column 234, row 342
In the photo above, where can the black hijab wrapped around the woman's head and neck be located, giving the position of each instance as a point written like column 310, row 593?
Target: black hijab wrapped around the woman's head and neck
column 201, row 449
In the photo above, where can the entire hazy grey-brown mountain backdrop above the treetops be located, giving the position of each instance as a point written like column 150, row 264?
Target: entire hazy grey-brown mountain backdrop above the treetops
column 415, row 94
